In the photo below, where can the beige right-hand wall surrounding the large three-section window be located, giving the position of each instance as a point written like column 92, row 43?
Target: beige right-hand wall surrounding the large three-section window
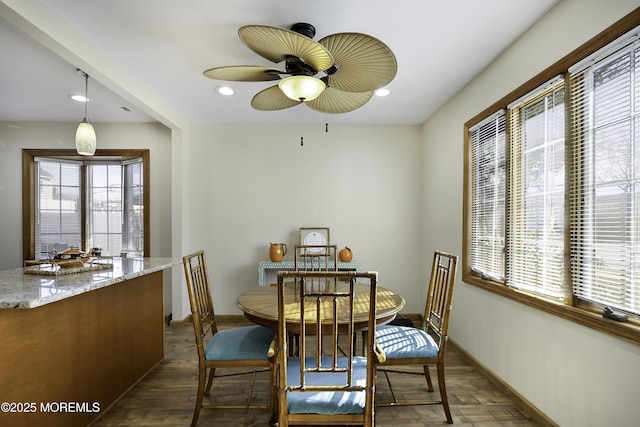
column 576, row 376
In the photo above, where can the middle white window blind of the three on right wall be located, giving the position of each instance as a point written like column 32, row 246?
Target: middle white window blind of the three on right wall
column 535, row 246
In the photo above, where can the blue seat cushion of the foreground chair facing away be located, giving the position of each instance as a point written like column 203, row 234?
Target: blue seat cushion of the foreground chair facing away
column 326, row 402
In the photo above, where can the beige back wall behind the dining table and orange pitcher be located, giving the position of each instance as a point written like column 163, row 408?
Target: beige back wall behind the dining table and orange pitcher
column 254, row 184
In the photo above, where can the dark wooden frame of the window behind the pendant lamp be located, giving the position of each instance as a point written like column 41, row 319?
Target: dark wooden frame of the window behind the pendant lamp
column 28, row 202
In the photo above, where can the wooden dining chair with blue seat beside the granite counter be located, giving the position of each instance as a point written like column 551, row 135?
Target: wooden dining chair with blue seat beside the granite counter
column 230, row 348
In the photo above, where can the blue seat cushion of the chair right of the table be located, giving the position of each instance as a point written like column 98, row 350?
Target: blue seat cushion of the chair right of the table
column 401, row 342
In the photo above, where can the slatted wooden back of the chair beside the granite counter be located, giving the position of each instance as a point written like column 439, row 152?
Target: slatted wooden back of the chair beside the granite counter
column 203, row 316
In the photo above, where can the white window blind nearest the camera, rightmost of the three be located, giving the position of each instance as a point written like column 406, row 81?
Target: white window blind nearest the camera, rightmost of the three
column 605, row 198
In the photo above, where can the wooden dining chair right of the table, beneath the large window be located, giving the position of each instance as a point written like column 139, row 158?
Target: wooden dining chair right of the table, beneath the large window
column 404, row 345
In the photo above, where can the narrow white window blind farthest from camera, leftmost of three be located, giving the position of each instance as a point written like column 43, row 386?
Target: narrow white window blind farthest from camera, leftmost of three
column 488, row 163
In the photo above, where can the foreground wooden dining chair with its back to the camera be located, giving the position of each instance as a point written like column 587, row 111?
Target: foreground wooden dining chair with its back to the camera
column 320, row 386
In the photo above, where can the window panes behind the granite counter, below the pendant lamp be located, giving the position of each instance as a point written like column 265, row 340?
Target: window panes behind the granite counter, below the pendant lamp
column 113, row 206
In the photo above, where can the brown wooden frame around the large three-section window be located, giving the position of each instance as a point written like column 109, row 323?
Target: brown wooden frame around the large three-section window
column 580, row 312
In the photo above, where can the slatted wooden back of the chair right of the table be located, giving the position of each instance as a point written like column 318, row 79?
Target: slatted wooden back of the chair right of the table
column 439, row 296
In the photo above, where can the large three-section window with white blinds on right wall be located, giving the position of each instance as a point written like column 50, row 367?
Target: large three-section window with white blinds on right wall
column 565, row 173
